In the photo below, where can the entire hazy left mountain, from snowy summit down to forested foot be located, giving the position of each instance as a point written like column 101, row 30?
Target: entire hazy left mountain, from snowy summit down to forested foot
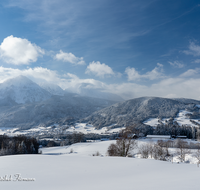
column 25, row 104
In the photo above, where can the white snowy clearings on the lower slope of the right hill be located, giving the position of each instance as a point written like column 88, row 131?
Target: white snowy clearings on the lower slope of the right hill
column 181, row 119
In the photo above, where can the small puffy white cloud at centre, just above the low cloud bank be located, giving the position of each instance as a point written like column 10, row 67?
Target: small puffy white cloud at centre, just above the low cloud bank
column 99, row 69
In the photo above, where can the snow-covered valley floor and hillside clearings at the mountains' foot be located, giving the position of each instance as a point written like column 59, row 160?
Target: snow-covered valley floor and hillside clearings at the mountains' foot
column 85, row 128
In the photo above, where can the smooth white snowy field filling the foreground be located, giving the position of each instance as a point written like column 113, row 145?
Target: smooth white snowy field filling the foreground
column 57, row 168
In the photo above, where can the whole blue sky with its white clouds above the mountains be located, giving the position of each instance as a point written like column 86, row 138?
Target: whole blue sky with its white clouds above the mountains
column 130, row 48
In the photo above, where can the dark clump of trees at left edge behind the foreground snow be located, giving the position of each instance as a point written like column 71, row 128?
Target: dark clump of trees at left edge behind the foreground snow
column 18, row 145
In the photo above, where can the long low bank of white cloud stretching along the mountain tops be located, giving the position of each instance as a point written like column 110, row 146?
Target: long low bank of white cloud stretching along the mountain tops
column 184, row 85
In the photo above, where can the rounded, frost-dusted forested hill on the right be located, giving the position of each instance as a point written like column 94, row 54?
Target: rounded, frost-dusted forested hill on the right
column 138, row 110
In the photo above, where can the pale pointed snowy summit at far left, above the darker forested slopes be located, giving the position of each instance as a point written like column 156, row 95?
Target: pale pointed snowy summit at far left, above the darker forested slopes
column 23, row 90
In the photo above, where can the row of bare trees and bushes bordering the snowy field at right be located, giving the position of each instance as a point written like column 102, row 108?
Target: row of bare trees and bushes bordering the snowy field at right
column 125, row 144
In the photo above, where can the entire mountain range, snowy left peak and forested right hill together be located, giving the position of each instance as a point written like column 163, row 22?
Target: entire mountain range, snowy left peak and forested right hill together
column 25, row 104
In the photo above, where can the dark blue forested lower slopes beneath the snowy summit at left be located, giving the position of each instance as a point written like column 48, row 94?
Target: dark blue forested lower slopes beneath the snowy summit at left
column 57, row 109
